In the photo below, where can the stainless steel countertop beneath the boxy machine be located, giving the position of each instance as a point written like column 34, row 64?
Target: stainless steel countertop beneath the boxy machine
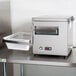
column 23, row 57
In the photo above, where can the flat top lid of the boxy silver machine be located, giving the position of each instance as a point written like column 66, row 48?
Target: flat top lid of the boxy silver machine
column 53, row 18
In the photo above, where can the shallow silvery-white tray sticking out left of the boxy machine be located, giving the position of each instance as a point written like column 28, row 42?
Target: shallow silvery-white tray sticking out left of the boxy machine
column 18, row 41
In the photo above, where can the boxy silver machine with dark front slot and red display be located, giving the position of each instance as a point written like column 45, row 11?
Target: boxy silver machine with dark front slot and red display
column 52, row 35
